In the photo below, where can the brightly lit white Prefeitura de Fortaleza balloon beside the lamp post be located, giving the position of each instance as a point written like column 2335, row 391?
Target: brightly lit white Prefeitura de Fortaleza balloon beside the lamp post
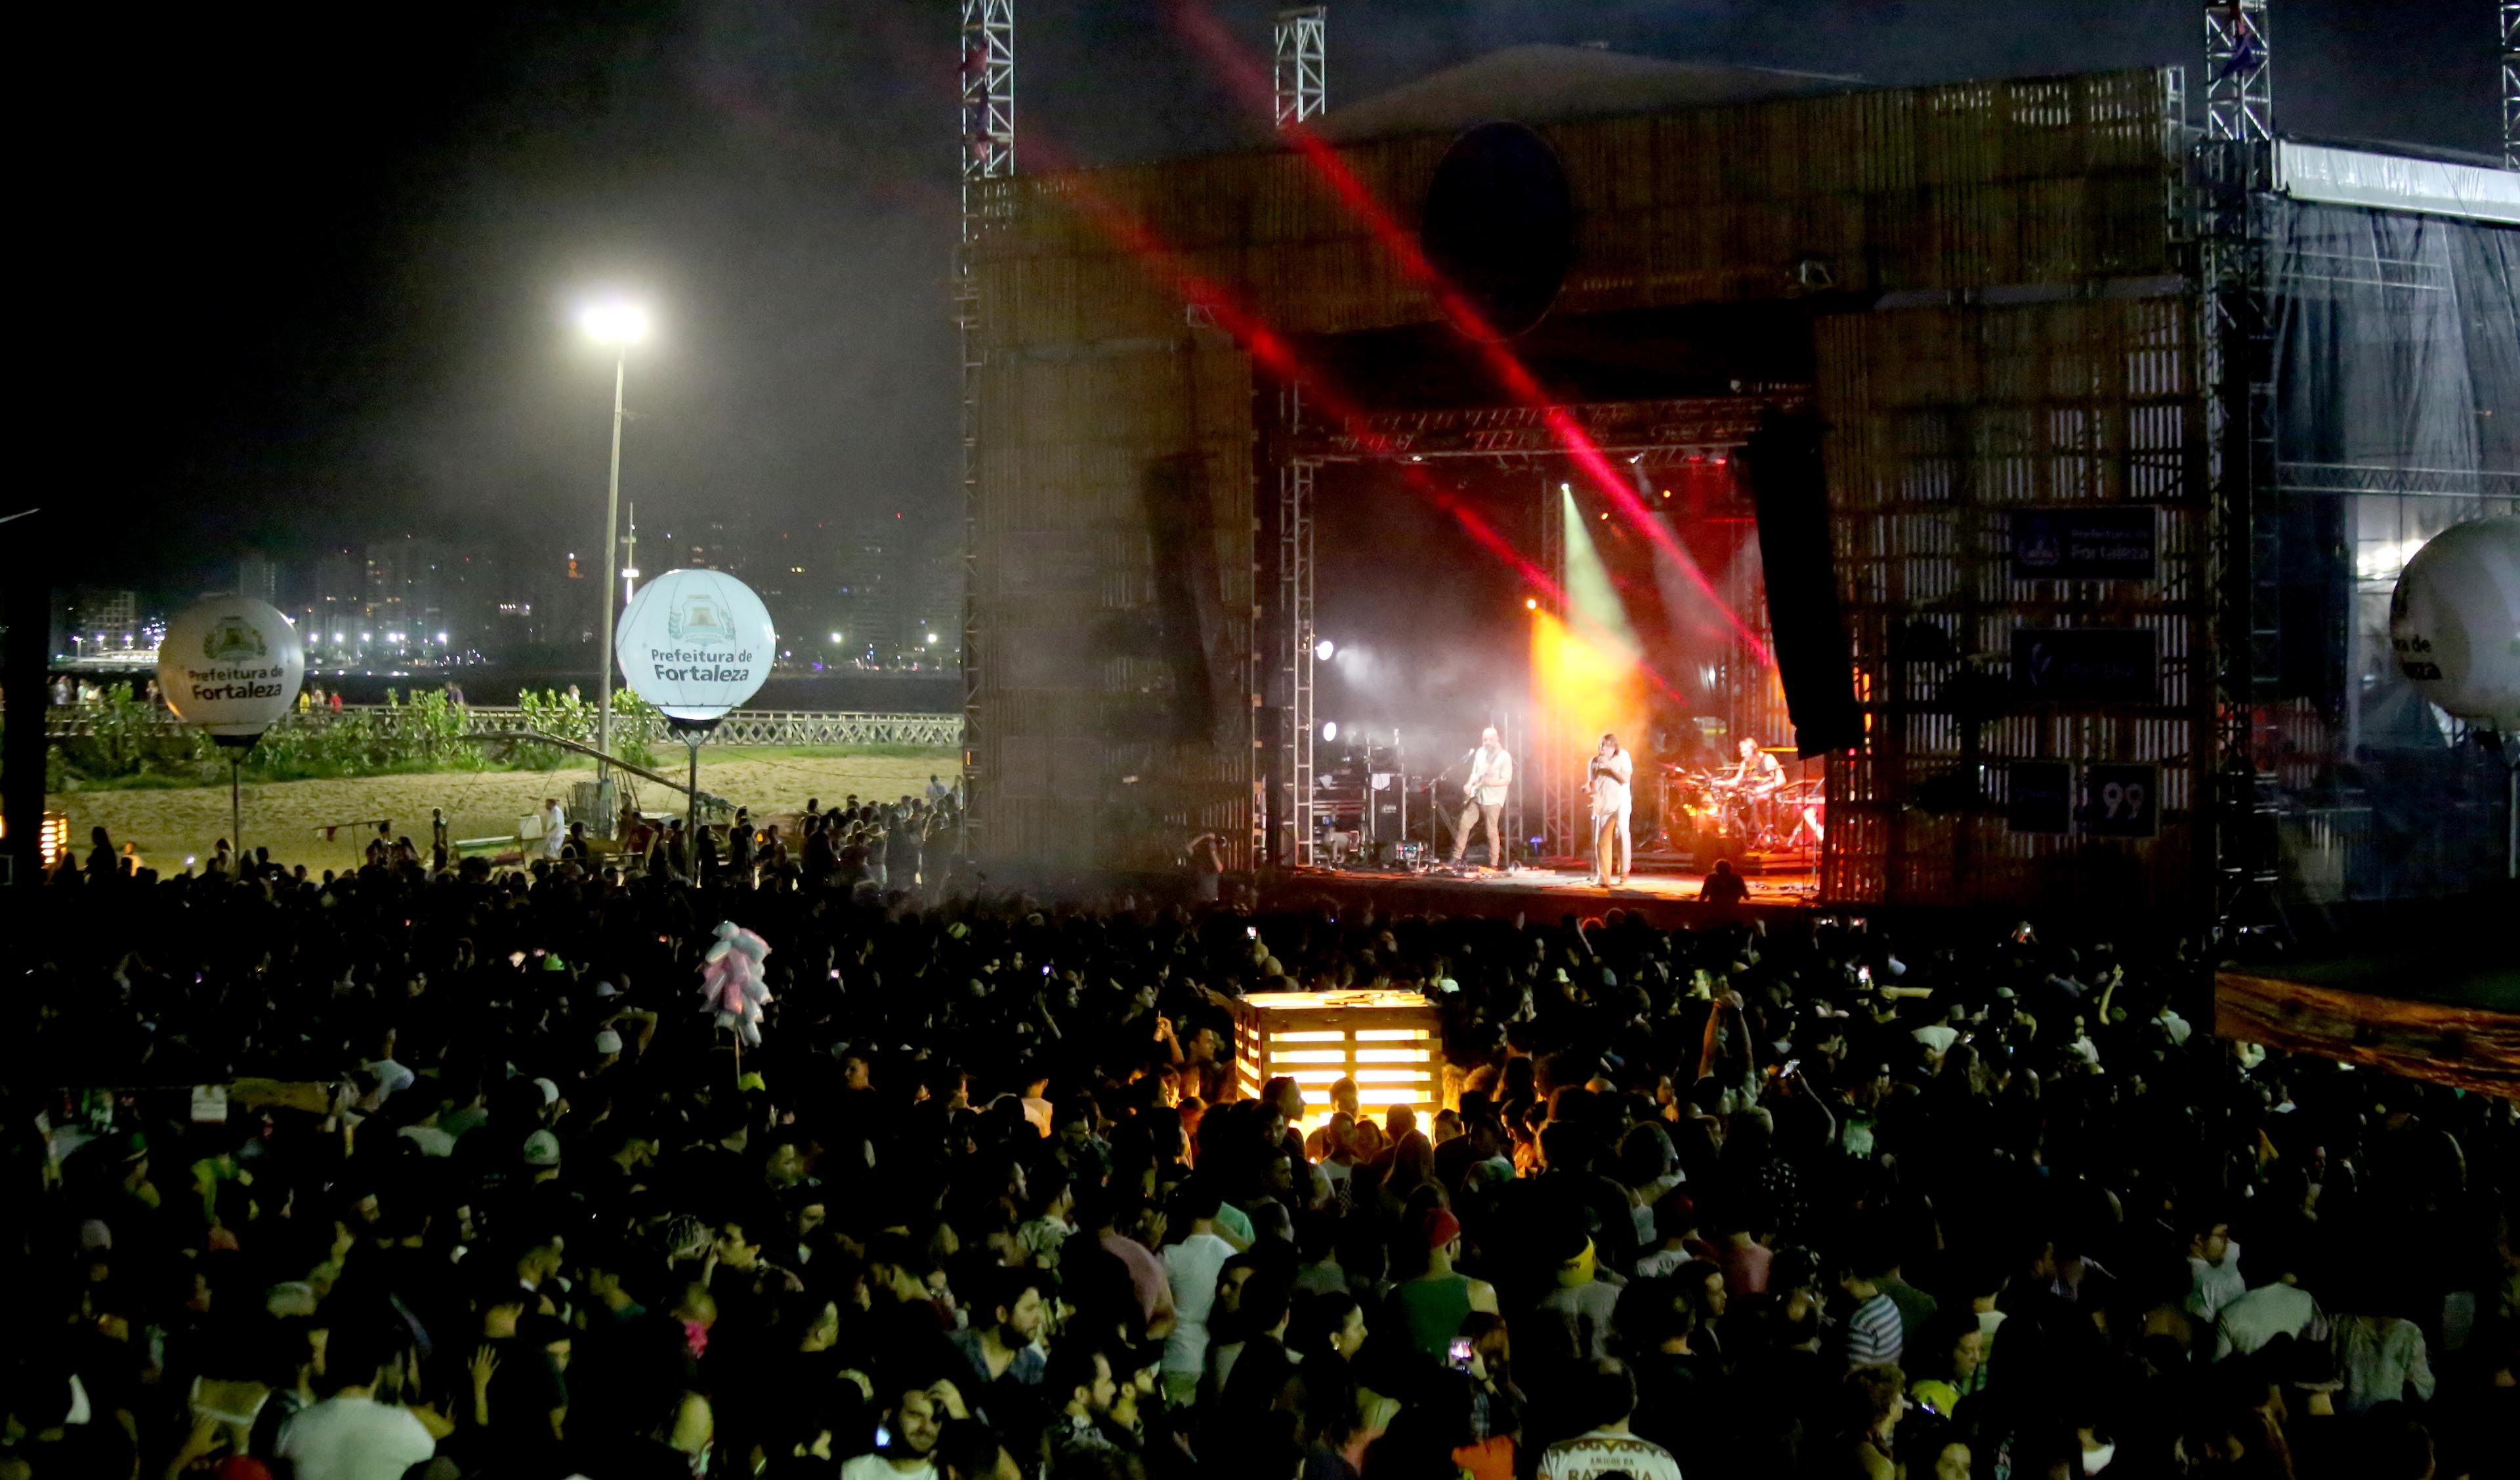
column 697, row 643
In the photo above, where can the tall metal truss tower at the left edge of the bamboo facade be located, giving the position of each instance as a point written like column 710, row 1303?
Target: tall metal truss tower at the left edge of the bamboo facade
column 989, row 152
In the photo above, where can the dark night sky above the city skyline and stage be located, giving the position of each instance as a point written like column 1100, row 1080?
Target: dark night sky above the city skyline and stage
column 319, row 266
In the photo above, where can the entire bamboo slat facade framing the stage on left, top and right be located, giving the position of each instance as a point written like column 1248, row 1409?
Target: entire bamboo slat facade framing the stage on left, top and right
column 1944, row 417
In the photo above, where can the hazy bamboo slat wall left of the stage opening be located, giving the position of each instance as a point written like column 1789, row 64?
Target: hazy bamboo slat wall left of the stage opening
column 1080, row 756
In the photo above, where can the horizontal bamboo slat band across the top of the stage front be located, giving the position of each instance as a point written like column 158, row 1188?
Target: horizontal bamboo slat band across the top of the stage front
column 1954, row 188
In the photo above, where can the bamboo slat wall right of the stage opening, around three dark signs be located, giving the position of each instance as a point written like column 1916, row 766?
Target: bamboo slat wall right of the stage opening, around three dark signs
column 1942, row 422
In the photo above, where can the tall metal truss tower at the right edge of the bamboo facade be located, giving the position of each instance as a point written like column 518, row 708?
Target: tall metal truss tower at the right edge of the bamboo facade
column 2236, row 182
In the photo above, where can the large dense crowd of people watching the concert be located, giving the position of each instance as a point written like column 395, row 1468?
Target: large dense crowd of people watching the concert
column 447, row 1172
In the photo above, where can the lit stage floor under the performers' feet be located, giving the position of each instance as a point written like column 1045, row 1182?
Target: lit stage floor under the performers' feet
column 1664, row 897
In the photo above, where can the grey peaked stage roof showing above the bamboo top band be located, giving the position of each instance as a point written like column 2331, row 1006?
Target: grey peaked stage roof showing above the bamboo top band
column 1556, row 84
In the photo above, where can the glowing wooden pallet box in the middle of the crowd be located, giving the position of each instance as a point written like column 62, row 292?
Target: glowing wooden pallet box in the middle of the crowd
column 1390, row 1043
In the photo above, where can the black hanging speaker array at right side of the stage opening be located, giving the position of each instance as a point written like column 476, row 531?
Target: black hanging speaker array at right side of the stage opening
column 1803, row 615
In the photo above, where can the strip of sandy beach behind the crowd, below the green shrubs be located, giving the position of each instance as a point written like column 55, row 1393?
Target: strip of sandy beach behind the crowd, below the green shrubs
column 289, row 817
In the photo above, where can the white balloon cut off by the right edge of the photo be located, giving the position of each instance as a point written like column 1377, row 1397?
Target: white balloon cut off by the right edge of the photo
column 2456, row 620
